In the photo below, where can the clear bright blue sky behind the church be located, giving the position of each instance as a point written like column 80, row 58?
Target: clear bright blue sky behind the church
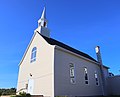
column 82, row 24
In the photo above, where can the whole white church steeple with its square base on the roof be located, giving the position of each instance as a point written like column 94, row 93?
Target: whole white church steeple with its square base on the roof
column 42, row 25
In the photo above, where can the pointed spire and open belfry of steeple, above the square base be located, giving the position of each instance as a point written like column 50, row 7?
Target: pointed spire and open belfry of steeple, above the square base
column 43, row 21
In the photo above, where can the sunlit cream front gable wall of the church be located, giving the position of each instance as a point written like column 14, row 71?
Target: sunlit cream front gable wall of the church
column 40, row 71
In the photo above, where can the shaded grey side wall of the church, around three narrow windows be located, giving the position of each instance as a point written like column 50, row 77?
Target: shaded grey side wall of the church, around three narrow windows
column 63, row 86
